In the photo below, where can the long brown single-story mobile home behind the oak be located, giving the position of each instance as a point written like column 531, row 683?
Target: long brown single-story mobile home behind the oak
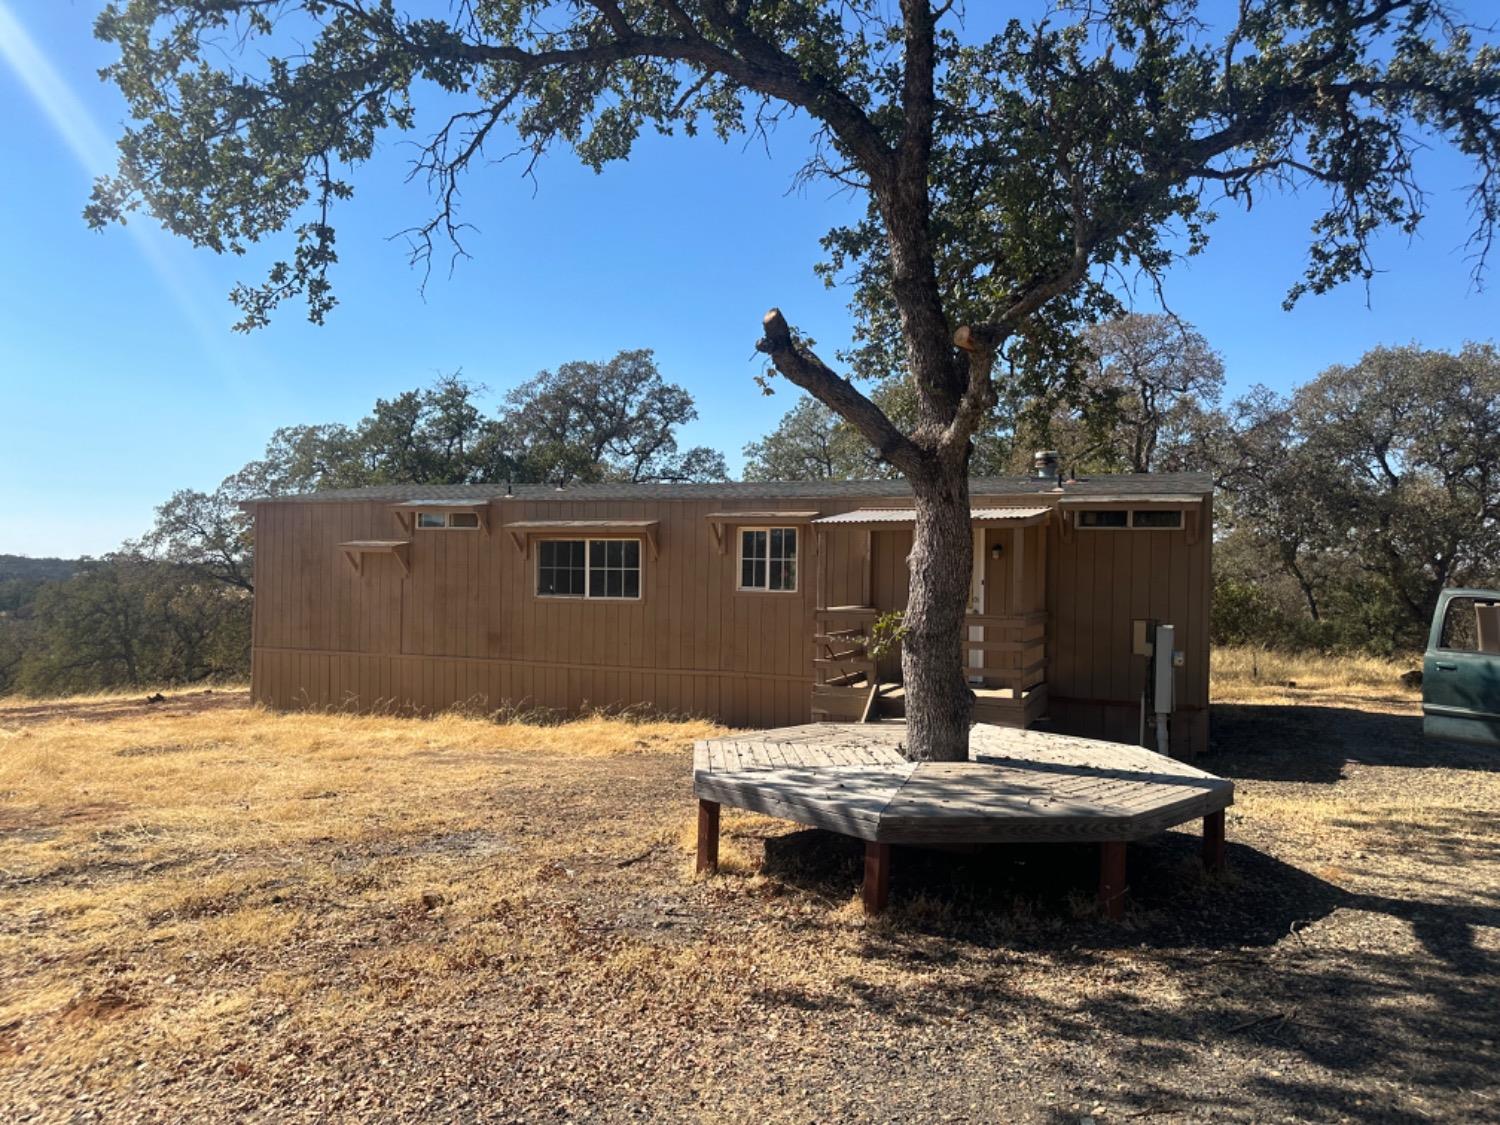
column 746, row 602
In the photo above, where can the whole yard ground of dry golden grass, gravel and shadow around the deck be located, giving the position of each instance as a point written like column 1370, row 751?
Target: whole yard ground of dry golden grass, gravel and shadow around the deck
column 214, row 914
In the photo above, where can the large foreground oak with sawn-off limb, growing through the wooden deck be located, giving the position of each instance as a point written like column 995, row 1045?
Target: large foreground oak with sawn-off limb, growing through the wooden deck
column 1012, row 179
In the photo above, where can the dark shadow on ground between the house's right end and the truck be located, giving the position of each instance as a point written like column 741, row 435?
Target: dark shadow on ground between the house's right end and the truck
column 1300, row 743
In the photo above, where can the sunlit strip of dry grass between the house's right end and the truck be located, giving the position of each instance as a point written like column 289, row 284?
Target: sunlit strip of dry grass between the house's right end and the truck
column 1246, row 673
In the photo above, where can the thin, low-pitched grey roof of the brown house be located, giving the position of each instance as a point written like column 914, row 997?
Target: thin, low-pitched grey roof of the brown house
column 1106, row 487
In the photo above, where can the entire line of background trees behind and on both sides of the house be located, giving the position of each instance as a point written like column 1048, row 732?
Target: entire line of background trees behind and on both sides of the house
column 1343, row 508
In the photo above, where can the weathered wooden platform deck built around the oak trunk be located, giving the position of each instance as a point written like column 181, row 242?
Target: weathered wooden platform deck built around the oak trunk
column 1021, row 787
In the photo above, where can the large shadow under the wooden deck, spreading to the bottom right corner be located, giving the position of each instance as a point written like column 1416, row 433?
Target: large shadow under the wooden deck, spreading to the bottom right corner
column 1309, row 1031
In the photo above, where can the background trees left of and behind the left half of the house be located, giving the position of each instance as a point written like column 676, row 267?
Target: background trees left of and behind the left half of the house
column 175, row 605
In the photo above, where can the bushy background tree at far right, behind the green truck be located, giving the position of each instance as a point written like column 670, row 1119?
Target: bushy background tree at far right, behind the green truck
column 1379, row 479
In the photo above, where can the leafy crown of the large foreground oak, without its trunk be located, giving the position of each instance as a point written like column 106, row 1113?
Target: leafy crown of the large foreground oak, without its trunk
column 1103, row 122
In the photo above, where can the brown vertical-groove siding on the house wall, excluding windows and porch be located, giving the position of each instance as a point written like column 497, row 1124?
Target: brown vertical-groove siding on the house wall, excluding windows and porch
column 466, row 626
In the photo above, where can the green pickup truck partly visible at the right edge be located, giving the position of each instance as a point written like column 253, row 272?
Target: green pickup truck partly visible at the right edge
column 1462, row 668
